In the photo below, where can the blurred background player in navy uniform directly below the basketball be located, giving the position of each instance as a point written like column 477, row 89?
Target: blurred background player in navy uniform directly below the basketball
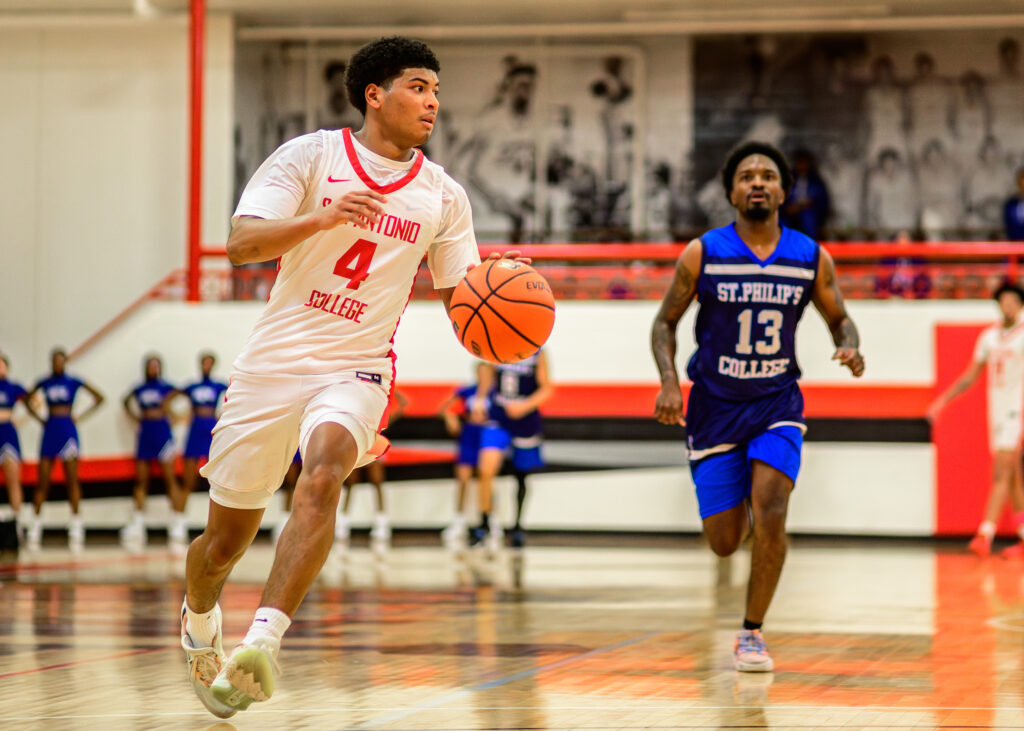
column 522, row 390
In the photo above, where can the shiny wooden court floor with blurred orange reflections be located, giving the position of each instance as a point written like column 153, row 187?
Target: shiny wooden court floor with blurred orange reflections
column 608, row 635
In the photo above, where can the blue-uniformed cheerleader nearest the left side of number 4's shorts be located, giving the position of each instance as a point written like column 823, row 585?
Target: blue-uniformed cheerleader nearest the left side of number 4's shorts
column 204, row 397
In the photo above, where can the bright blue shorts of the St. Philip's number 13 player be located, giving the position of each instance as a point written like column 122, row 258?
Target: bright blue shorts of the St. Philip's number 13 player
column 723, row 481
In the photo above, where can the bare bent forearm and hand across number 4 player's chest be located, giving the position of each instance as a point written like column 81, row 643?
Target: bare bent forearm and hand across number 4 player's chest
column 254, row 240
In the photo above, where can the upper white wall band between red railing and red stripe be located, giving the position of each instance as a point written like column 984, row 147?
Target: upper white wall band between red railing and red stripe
column 592, row 342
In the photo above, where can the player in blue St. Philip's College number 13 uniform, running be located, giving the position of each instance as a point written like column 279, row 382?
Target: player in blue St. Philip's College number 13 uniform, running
column 745, row 418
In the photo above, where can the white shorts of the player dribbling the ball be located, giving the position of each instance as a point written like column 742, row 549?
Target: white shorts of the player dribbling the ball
column 267, row 418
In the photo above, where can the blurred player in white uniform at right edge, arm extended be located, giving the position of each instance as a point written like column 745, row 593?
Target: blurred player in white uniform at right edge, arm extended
column 1001, row 349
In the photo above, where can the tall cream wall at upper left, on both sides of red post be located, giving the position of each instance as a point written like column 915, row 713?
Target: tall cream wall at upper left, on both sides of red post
column 93, row 203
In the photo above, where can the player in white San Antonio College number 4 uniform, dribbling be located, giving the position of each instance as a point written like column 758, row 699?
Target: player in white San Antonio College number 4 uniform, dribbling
column 351, row 216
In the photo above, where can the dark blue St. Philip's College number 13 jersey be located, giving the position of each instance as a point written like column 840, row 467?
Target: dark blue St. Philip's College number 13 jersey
column 747, row 323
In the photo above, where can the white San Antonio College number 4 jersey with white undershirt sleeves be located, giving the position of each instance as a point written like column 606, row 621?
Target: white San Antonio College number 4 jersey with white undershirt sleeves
column 339, row 294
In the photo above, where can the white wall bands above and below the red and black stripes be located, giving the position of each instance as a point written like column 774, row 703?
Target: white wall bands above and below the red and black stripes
column 839, row 490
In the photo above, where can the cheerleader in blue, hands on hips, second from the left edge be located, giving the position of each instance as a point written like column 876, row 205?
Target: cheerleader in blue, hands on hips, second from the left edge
column 60, row 443
